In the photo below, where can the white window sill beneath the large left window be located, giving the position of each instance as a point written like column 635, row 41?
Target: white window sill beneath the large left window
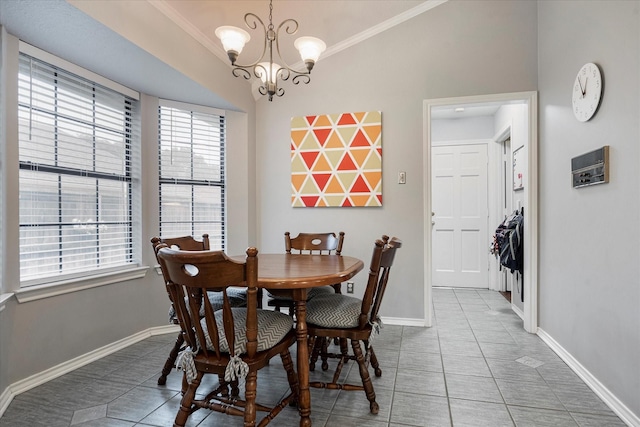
column 48, row 290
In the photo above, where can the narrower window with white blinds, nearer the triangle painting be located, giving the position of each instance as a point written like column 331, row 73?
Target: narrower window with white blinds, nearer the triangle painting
column 192, row 186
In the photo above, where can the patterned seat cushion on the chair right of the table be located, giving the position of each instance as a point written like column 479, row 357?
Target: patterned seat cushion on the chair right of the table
column 334, row 311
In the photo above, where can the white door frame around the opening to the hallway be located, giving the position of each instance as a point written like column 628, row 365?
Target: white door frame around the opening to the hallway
column 530, row 274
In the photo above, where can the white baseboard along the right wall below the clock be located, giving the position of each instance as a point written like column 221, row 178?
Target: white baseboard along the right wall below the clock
column 619, row 408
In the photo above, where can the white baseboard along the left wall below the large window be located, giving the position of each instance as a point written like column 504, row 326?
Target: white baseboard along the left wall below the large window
column 54, row 372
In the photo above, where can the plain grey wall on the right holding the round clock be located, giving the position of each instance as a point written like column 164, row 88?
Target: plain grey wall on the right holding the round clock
column 589, row 255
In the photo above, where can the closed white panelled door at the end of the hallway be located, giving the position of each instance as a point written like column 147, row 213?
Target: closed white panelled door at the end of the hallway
column 460, row 215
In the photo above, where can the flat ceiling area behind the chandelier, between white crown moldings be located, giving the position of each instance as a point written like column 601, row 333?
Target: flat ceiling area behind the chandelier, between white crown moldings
column 339, row 24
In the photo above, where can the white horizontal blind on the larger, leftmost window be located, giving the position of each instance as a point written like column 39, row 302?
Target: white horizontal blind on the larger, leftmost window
column 76, row 170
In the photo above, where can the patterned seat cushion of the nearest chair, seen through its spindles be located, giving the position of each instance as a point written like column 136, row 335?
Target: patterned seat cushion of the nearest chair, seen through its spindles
column 273, row 326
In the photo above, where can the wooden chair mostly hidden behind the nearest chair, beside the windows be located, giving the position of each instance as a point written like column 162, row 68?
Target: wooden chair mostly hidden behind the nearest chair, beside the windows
column 238, row 297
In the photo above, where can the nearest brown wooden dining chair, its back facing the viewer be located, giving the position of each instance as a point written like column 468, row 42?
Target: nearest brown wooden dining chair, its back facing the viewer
column 234, row 342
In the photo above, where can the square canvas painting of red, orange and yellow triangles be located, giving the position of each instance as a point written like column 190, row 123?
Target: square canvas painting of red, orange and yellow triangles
column 341, row 154
